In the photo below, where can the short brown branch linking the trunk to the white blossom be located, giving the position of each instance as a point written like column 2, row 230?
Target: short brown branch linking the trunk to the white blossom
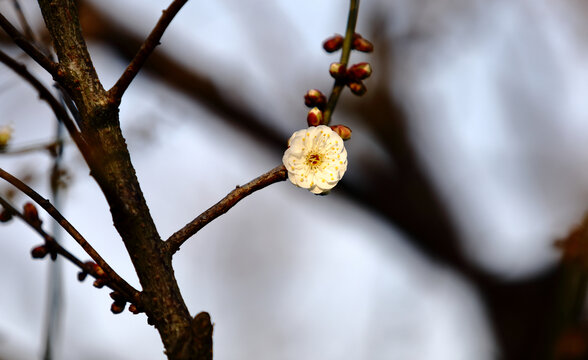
column 177, row 239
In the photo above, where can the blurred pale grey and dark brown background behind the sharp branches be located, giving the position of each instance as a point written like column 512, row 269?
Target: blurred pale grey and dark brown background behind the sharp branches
column 467, row 162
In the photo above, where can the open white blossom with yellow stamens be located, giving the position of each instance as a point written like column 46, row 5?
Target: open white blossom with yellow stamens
column 315, row 159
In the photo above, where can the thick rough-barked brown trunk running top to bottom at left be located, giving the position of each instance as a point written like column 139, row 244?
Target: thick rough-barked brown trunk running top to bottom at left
column 110, row 165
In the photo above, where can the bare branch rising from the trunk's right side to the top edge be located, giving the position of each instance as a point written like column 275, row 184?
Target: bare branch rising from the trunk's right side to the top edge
column 146, row 49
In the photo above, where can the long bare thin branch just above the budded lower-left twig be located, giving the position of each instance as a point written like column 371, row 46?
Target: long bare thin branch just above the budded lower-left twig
column 55, row 214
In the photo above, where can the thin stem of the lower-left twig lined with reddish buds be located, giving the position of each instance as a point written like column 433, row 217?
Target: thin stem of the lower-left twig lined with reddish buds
column 54, row 246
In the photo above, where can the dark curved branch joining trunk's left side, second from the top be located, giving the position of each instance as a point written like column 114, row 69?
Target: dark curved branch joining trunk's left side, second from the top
column 46, row 95
